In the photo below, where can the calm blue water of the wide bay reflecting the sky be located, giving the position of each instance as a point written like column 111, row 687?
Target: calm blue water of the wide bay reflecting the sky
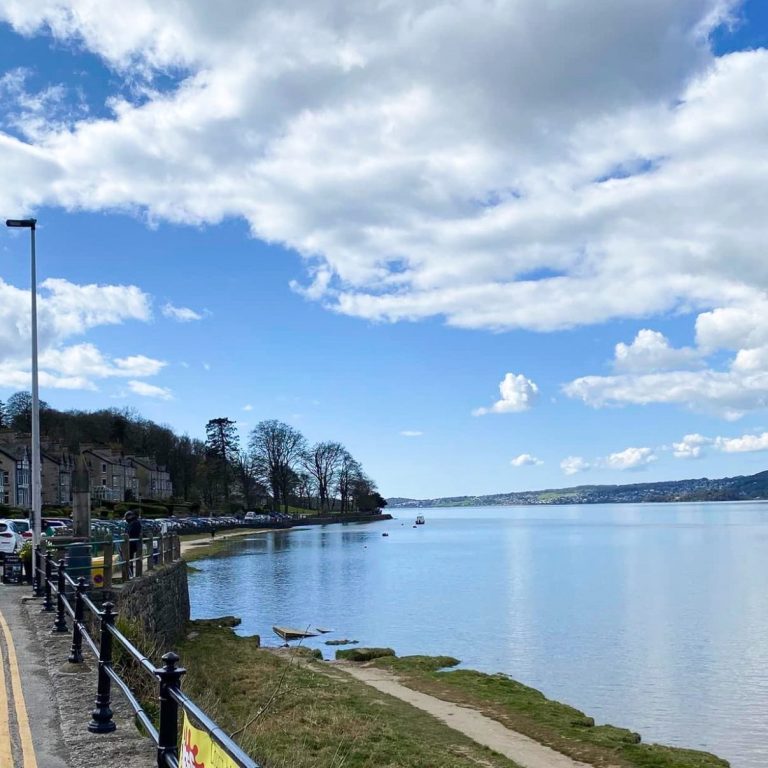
column 654, row 617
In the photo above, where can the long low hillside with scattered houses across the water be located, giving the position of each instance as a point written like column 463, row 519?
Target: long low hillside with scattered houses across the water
column 741, row 488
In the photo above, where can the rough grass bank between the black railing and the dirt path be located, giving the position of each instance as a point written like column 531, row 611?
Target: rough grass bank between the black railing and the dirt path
column 315, row 716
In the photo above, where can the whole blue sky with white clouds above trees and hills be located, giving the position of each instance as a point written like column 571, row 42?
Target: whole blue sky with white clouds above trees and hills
column 370, row 241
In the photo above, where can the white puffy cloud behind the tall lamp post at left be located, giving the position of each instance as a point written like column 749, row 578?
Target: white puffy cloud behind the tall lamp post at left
column 67, row 310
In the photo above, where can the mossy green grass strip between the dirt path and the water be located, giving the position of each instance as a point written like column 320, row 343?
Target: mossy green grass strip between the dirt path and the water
column 528, row 711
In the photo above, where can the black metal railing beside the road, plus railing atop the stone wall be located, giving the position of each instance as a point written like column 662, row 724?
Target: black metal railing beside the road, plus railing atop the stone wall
column 51, row 580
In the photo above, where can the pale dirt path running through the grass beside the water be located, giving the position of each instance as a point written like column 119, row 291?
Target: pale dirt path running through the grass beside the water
column 490, row 733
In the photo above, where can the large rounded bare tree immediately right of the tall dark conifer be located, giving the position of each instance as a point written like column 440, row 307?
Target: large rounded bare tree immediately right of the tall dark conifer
column 276, row 451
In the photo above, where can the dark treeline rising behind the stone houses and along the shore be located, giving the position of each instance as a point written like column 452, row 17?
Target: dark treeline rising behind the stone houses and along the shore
column 277, row 466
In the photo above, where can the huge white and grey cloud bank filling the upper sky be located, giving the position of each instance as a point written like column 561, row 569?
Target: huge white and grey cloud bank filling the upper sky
column 597, row 185
